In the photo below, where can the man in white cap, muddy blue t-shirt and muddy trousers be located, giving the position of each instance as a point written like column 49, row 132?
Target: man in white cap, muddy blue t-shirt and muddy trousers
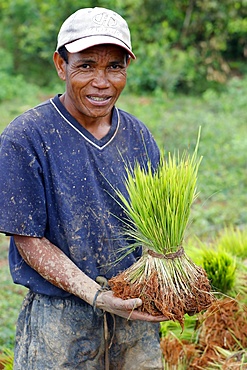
column 60, row 163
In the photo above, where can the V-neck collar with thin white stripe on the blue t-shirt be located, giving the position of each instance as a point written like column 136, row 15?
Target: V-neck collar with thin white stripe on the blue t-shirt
column 70, row 120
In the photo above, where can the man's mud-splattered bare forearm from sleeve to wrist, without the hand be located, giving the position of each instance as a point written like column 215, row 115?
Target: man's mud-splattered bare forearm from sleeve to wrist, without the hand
column 54, row 266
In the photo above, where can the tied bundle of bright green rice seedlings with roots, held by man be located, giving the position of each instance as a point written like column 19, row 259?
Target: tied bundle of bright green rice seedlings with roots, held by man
column 158, row 210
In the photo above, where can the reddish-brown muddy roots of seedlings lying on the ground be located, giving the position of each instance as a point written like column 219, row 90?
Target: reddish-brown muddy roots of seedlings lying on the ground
column 222, row 340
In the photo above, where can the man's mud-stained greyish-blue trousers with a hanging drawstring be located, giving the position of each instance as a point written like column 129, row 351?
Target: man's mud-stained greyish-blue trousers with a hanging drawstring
column 54, row 333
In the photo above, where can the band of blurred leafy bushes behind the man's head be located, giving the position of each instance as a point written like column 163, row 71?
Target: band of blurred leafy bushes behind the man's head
column 182, row 45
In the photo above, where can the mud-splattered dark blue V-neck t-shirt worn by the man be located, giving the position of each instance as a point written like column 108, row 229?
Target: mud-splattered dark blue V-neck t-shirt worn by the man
column 57, row 181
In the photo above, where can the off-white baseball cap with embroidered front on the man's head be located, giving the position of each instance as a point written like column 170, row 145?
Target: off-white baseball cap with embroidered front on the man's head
column 94, row 26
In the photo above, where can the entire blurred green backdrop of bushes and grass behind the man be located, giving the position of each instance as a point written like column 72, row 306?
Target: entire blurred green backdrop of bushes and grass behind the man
column 190, row 72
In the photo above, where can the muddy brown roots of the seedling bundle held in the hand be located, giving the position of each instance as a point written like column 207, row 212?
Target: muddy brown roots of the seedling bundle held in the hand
column 173, row 297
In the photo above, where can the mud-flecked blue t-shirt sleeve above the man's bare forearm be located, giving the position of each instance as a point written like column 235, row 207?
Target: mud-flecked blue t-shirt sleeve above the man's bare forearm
column 22, row 198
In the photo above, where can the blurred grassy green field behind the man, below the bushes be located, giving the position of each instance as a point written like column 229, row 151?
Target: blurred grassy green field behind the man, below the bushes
column 174, row 122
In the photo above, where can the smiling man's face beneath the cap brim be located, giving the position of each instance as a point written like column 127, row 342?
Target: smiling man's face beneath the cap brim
column 95, row 78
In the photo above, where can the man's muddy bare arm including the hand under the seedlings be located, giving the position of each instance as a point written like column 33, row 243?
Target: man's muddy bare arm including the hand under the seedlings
column 53, row 265
